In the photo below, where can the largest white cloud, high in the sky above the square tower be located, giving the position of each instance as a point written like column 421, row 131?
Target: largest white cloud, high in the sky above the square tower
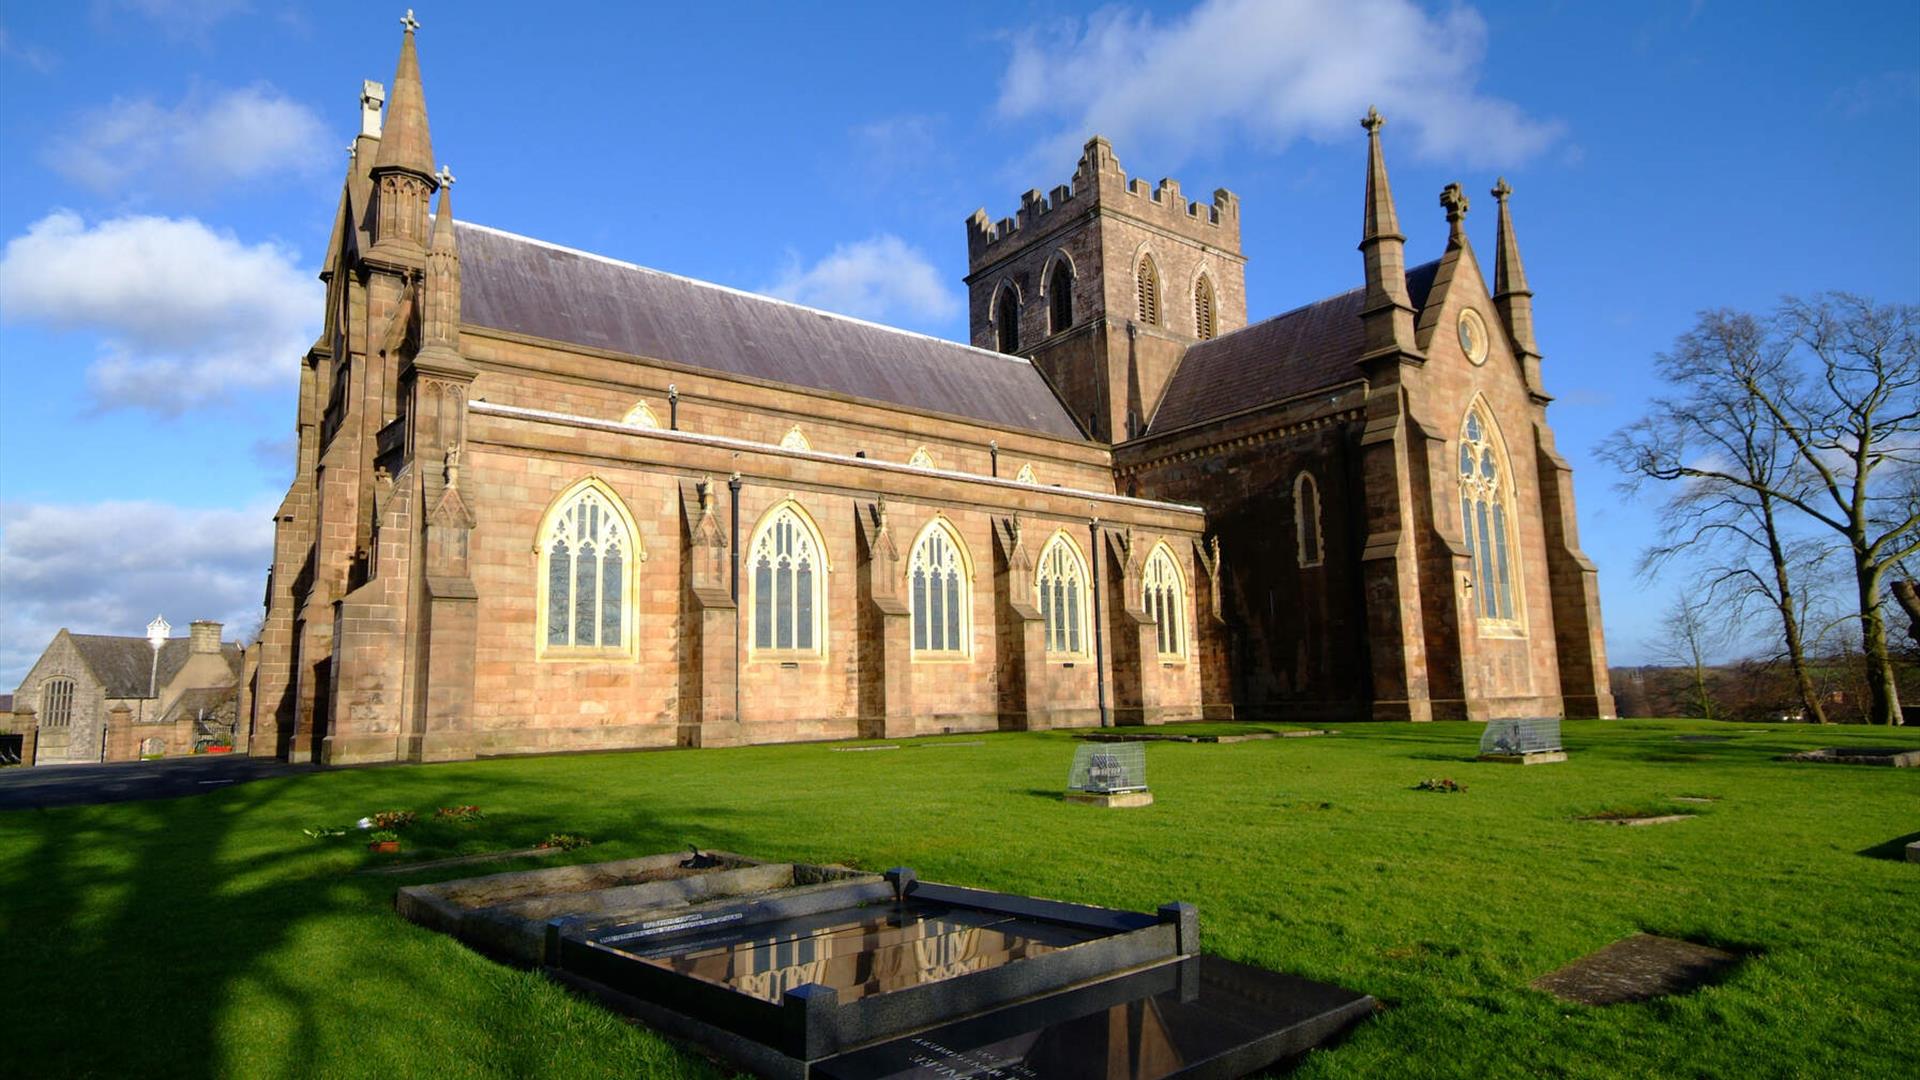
column 1272, row 72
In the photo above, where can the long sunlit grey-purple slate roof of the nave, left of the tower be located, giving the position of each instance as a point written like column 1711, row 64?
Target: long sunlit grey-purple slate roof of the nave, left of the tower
column 529, row 287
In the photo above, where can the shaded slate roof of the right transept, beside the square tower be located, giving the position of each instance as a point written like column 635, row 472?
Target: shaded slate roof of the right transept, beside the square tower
column 1274, row 360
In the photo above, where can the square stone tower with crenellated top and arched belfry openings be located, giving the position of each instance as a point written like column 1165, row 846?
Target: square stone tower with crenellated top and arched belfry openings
column 1105, row 285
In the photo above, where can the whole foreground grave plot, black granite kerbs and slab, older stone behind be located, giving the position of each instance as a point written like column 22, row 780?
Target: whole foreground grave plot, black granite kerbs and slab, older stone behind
column 865, row 979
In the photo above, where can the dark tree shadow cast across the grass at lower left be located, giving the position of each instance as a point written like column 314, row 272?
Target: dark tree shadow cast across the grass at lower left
column 212, row 931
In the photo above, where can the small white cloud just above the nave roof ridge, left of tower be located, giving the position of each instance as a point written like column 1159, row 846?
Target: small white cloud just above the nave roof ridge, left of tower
column 880, row 278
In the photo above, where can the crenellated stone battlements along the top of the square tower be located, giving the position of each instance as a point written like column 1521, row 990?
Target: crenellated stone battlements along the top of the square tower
column 1101, row 182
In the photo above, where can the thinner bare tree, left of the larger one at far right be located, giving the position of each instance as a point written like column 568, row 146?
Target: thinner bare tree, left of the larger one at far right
column 1731, row 526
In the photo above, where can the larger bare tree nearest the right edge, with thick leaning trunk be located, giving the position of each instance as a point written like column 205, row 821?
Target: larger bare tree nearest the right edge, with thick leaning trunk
column 1838, row 380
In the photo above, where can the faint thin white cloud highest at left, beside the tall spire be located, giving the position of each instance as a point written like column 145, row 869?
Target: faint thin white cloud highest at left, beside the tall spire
column 203, row 143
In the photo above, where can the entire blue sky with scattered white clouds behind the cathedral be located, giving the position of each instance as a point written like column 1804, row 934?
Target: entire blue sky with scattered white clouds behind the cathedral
column 174, row 168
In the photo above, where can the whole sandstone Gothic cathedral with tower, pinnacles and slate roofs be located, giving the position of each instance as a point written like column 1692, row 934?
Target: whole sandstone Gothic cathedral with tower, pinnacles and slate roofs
column 550, row 501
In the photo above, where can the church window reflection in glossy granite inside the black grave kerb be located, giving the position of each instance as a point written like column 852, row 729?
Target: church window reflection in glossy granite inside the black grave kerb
column 857, row 952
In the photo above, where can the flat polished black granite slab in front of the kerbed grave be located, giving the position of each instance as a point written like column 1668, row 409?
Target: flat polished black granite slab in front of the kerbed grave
column 1193, row 1019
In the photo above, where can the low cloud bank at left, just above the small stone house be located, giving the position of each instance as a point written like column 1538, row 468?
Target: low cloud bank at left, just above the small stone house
column 108, row 568
